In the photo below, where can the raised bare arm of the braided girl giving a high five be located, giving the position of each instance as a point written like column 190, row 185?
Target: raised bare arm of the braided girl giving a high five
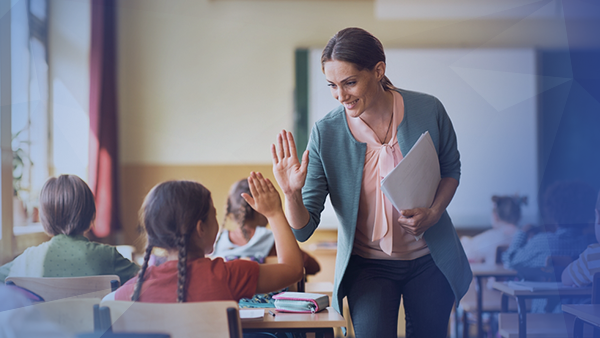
column 265, row 200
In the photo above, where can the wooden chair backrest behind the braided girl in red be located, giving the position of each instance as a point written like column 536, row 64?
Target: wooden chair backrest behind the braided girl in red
column 180, row 320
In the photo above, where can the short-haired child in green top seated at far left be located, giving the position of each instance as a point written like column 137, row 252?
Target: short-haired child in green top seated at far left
column 67, row 211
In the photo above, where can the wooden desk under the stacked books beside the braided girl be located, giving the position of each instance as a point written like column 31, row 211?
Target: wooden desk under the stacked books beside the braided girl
column 321, row 323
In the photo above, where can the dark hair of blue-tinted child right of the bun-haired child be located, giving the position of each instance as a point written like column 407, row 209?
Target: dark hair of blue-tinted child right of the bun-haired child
column 569, row 203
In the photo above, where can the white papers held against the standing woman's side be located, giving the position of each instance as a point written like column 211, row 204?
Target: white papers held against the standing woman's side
column 414, row 181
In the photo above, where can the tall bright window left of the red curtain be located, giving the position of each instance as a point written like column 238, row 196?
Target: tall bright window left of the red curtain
column 44, row 109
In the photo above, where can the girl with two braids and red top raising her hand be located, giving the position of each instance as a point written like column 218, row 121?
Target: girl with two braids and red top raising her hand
column 179, row 217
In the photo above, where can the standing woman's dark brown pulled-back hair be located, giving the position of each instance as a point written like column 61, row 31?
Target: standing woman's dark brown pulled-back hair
column 359, row 47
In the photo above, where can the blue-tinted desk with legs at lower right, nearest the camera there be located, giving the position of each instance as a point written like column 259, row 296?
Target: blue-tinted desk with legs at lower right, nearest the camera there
column 521, row 295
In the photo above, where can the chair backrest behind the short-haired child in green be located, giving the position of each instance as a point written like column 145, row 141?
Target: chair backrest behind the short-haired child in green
column 54, row 288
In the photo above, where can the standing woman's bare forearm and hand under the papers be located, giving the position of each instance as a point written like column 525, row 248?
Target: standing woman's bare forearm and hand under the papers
column 417, row 221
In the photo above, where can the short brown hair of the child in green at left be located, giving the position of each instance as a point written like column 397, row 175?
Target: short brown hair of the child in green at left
column 66, row 206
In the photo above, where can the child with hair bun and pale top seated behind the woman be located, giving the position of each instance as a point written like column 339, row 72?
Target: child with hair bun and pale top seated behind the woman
column 505, row 219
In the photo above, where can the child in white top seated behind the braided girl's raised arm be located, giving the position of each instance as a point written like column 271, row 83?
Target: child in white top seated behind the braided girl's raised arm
column 251, row 238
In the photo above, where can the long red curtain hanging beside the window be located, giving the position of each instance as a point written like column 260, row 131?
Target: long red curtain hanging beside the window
column 103, row 161
